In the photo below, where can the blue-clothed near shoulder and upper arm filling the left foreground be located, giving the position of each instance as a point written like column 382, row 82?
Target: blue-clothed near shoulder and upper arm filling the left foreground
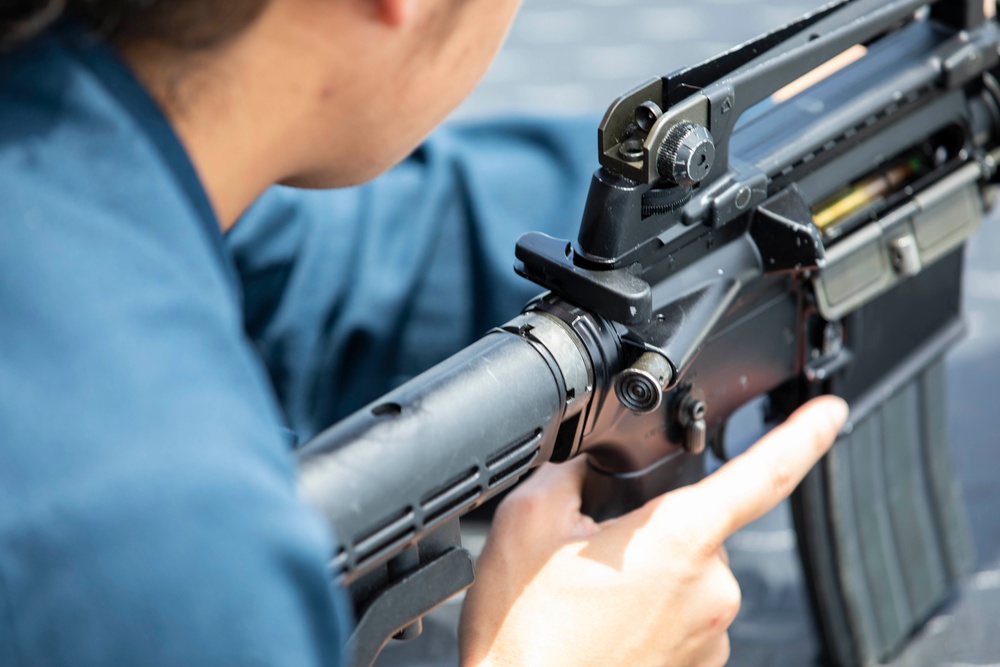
column 147, row 503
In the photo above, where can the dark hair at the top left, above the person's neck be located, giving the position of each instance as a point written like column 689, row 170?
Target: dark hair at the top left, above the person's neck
column 185, row 24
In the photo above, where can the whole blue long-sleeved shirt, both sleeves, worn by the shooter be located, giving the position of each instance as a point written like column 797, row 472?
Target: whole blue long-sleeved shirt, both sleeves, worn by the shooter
column 148, row 365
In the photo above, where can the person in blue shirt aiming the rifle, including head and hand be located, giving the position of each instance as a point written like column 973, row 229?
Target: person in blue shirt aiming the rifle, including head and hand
column 169, row 315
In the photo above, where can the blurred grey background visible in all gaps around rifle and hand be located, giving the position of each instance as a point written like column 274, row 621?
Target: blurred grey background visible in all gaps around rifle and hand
column 575, row 56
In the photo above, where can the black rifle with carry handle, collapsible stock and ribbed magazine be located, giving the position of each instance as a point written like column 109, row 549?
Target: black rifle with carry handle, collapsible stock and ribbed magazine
column 732, row 247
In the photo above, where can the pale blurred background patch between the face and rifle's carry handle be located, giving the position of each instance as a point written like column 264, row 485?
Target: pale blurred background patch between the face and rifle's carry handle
column 566, row 56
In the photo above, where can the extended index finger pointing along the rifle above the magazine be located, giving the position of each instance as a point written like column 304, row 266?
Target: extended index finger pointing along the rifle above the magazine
column 755, row 482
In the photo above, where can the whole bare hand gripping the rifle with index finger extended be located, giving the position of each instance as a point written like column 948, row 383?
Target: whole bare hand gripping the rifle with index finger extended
column 651, row 587
